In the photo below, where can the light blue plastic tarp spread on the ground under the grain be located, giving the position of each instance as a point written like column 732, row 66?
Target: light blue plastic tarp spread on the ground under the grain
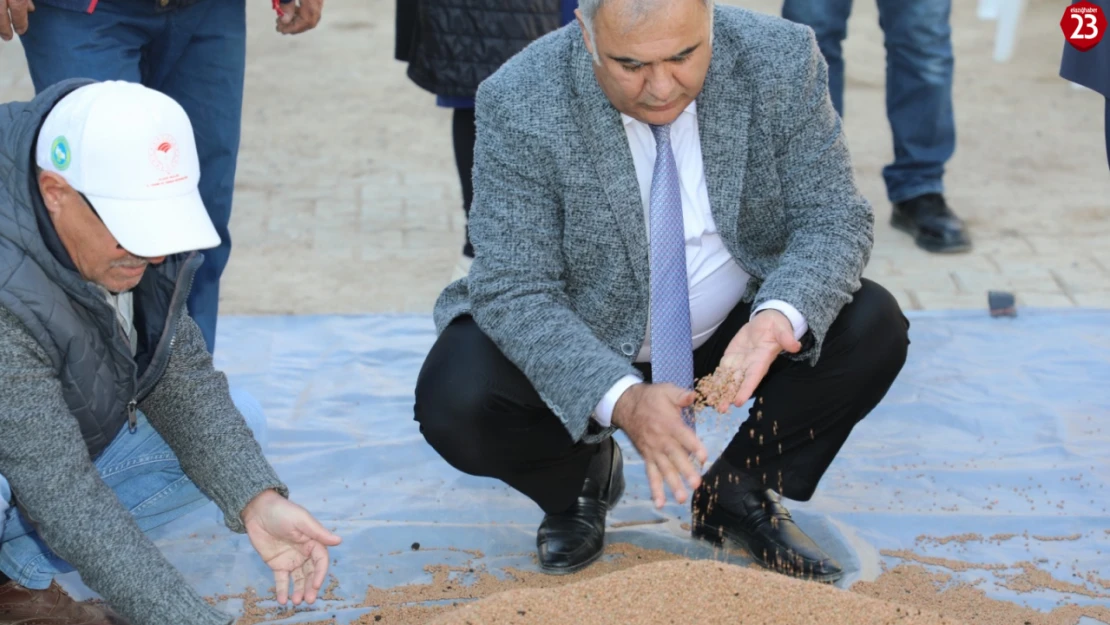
column 995, row 427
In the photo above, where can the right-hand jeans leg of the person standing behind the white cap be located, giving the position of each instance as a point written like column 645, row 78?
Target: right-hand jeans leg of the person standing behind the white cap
column 200, row 64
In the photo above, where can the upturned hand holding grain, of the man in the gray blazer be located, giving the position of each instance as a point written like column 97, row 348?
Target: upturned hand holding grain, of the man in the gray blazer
column 751, row 354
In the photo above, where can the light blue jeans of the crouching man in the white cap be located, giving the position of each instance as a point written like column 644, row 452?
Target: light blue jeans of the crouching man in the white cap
column 147, row 479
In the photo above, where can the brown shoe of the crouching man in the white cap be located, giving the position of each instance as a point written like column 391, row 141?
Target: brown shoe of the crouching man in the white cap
column 52, row 607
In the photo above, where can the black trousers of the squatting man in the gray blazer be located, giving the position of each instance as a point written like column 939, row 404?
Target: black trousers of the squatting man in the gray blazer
column 480, row 412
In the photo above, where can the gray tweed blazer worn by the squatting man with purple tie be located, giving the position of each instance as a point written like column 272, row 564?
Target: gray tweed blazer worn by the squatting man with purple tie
column 560, row 281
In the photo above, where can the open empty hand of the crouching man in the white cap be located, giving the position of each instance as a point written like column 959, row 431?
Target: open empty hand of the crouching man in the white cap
column 291, row 542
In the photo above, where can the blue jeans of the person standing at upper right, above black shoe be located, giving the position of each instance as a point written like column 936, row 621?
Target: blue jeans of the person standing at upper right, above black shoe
column 920, row 83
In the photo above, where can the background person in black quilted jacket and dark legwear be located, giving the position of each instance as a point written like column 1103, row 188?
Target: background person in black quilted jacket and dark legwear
column 451, row 51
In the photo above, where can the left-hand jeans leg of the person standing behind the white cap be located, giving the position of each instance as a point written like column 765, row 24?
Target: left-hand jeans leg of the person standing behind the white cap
column 107, row 45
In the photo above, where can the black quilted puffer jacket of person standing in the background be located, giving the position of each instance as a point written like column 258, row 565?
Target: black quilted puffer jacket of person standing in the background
column 452, row 46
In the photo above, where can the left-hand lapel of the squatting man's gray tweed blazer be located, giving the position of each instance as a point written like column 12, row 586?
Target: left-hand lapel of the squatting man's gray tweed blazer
column 609, row 150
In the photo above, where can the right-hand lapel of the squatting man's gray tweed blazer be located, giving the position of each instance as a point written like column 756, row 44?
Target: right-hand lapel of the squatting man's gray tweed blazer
column 723, row 115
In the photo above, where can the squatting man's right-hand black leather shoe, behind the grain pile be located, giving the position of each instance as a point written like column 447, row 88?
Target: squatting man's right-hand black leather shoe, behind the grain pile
column 759, row 522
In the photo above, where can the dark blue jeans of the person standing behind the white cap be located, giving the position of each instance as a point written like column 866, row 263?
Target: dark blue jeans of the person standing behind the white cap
column 197, row 56
